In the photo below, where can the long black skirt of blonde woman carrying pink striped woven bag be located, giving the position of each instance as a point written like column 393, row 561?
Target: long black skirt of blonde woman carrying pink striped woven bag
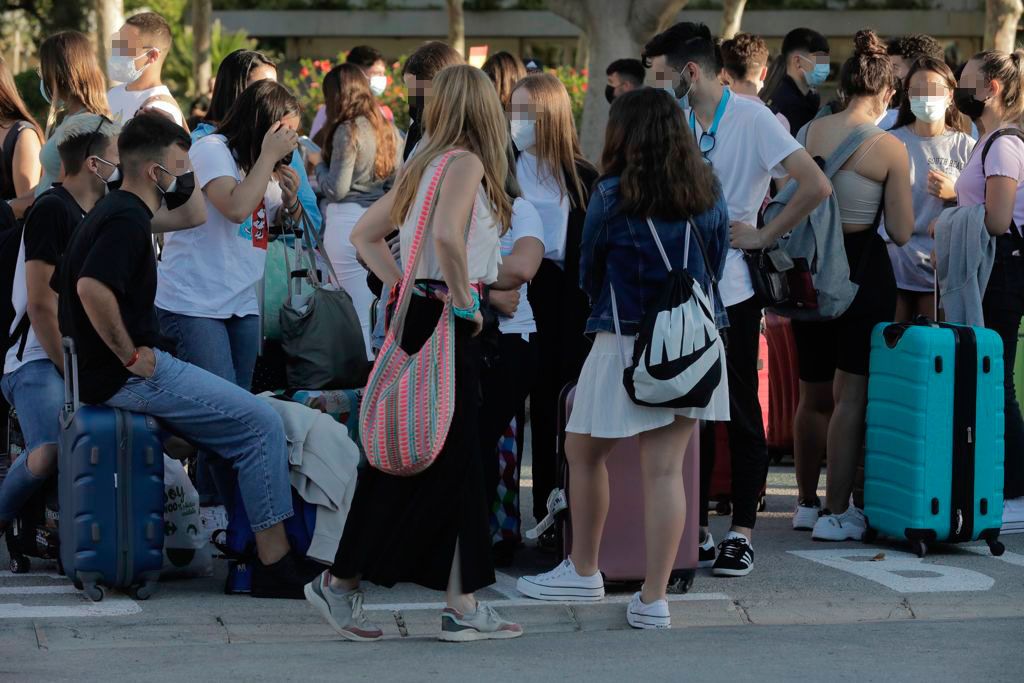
column 405, row 529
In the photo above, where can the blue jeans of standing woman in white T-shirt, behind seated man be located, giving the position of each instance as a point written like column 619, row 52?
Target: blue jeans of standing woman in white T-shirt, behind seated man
column 229, row 350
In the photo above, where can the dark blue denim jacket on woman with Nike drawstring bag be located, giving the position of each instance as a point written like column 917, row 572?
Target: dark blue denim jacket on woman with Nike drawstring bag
column 620, row 250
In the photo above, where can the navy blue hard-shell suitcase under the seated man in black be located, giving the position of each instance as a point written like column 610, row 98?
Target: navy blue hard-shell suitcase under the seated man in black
column 111, row 480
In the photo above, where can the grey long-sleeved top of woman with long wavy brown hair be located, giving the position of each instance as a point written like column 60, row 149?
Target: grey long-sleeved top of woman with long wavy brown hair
column 351, row 177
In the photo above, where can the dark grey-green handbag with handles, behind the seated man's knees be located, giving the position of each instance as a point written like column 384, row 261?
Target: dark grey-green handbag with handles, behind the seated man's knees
column 321, row 333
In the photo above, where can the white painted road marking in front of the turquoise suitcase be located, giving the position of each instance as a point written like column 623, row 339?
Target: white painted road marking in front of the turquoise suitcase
column 892, row 572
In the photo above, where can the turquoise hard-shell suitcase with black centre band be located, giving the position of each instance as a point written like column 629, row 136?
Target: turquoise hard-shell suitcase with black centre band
column 933, row 469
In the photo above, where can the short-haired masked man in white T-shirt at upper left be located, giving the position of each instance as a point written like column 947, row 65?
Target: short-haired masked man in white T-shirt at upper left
column 138, row 56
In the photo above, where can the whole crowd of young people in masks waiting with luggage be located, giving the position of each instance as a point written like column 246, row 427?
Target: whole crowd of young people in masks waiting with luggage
column 545, row 265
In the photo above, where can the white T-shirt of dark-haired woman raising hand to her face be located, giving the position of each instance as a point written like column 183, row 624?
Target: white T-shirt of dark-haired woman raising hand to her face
column 212, row 271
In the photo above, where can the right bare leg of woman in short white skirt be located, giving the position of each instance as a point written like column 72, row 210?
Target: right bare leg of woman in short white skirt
column 662, row 453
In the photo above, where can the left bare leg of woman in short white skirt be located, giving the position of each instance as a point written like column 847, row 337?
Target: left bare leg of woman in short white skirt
column 588, row 497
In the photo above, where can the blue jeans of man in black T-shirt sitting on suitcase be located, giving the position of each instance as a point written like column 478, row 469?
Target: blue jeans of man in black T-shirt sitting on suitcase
column 225, row 419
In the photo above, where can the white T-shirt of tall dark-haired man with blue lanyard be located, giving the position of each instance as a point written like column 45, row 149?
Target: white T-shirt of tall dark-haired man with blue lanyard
column 750, row 148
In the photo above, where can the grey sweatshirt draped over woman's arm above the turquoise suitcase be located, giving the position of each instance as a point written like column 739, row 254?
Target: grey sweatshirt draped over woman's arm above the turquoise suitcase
column 965, row 253
